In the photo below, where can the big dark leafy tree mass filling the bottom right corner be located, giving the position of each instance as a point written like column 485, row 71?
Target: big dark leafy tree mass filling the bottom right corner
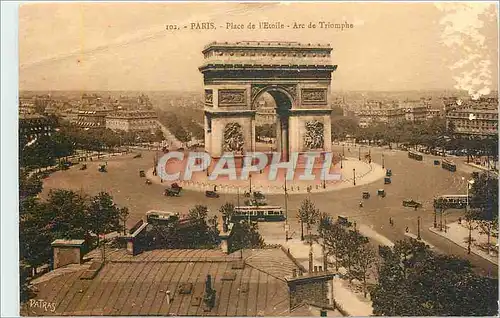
column 415, row 281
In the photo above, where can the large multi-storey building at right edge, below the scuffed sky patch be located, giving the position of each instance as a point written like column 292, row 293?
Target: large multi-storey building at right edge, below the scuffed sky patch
column 473, row 117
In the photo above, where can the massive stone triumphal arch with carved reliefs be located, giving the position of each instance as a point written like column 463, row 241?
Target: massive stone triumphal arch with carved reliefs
column 297, row 76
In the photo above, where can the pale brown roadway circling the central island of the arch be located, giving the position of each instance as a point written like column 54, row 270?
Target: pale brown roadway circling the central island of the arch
column 418, row 180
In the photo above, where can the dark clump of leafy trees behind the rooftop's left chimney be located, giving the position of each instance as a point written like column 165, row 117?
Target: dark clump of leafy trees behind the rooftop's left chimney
column 65, row 215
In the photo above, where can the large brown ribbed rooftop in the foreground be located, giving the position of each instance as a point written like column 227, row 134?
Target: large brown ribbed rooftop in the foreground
column 137, row 285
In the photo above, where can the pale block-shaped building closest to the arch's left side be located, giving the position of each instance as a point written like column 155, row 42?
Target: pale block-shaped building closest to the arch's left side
column 139, row 120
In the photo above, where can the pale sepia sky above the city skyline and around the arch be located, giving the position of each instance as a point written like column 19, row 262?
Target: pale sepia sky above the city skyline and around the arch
column 124, row 46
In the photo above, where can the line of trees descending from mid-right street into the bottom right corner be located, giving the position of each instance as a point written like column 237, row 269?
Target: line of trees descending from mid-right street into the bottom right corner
column 411, row 280
